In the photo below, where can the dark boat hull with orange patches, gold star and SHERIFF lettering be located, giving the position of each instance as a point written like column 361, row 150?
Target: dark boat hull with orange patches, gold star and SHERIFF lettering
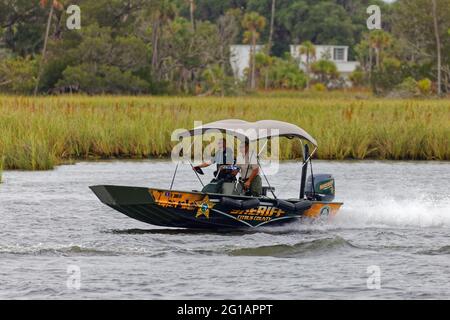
column 196, row 210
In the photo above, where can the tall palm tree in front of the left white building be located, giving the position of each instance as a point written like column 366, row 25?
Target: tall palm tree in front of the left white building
column 253, row 23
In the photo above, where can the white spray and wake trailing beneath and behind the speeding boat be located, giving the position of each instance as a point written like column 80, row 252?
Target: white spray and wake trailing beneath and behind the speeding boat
column 359, row 214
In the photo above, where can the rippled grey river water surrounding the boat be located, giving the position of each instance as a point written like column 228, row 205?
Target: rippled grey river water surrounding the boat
column 390, row 240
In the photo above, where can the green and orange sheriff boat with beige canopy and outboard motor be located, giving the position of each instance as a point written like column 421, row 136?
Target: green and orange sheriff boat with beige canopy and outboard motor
column 230, row 208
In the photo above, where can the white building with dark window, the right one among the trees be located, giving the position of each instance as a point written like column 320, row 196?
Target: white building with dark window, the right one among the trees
column 337, row 54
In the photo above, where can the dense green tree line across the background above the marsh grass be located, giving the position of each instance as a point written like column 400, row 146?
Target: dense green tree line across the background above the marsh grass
column 183, row 46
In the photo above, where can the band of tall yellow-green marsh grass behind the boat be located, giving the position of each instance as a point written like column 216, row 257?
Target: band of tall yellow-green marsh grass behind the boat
column 39, row 133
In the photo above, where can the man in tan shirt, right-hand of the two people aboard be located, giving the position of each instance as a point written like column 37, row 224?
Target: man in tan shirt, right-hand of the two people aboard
column 249, row 170
